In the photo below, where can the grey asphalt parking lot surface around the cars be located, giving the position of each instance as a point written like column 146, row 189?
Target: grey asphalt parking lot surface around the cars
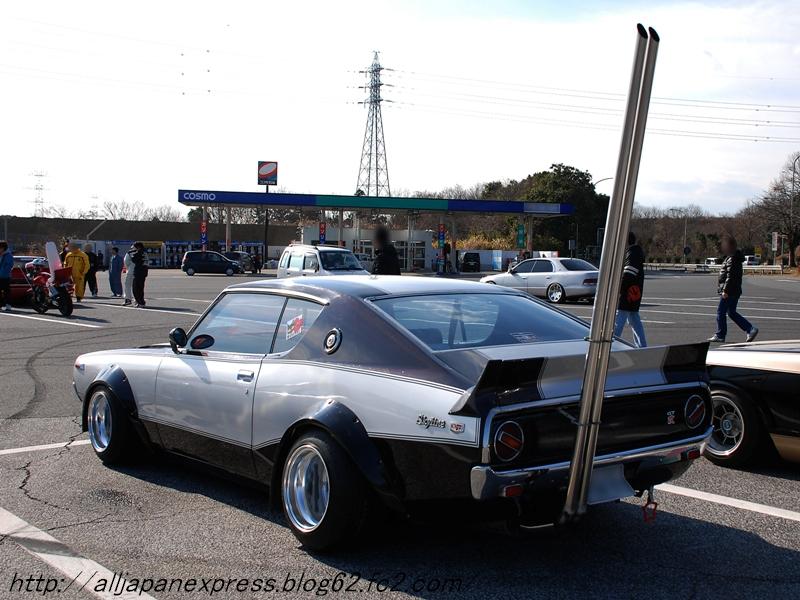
column 719, row 532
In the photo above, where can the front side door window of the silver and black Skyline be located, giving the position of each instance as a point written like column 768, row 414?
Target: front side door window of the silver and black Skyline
column 241, row 323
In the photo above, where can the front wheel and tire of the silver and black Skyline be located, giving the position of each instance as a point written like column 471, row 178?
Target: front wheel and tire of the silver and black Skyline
column 110, row 432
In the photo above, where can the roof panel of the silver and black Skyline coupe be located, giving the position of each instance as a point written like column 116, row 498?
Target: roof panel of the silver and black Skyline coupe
column 366, row 286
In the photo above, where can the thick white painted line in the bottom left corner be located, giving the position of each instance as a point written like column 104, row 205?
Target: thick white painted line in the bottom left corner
column 82, row 573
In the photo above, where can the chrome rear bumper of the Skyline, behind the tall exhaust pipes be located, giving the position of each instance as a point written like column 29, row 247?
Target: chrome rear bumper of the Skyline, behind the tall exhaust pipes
column 487, row 483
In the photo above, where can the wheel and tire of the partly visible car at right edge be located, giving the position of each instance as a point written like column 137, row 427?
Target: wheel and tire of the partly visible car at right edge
column 738, row 430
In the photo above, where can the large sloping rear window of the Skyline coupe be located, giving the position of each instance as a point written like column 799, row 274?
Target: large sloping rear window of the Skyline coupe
column 448, row 321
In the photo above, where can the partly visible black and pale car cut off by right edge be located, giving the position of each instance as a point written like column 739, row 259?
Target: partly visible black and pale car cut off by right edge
column 755, row 400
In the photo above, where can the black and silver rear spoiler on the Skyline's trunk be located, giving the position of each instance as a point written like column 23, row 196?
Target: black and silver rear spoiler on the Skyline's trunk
column 505, row 382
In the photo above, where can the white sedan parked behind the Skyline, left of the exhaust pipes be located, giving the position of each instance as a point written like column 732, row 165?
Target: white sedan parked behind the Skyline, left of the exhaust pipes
column 556, row 279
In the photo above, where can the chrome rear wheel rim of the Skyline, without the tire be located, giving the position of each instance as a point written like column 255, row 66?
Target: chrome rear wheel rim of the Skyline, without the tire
column 306, row 488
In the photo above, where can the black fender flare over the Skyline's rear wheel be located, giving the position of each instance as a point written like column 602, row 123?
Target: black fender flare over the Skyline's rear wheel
column 344, row 426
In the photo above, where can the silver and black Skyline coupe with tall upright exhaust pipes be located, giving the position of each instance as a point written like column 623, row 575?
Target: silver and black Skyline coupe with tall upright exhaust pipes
column 344, row 393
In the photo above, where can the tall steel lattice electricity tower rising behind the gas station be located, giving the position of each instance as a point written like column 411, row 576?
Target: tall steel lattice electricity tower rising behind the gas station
column 373, row 174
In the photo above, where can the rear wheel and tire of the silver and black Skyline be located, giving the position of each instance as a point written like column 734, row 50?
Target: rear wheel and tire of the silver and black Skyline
column 334, row 510
